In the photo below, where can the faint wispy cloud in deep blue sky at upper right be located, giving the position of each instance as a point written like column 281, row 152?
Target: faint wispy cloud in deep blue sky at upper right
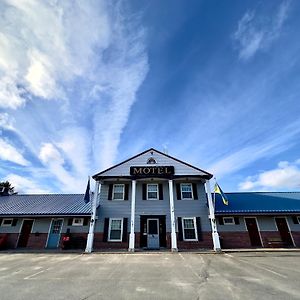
column 256, row 32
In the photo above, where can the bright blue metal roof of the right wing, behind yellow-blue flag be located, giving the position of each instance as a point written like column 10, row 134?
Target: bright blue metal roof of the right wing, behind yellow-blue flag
column 259, row 203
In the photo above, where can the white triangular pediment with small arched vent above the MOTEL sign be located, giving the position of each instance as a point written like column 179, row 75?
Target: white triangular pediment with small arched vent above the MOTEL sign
column 150, row 158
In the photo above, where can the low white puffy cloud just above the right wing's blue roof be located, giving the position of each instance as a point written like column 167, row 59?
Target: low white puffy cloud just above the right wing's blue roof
column 285, row 176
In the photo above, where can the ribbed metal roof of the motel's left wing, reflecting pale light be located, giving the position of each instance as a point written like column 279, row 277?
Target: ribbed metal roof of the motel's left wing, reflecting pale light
column 50, row 204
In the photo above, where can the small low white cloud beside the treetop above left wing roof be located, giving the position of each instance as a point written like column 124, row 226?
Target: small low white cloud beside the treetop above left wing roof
column 25, row 185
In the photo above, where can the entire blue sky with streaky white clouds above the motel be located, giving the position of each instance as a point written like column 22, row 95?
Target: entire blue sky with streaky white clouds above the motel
column 86, row 84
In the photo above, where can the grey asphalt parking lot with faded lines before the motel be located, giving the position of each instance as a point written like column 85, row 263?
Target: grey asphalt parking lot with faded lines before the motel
column 150, row 276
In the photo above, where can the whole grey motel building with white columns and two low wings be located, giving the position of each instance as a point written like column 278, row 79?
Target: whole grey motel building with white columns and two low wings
column 150, row 201
